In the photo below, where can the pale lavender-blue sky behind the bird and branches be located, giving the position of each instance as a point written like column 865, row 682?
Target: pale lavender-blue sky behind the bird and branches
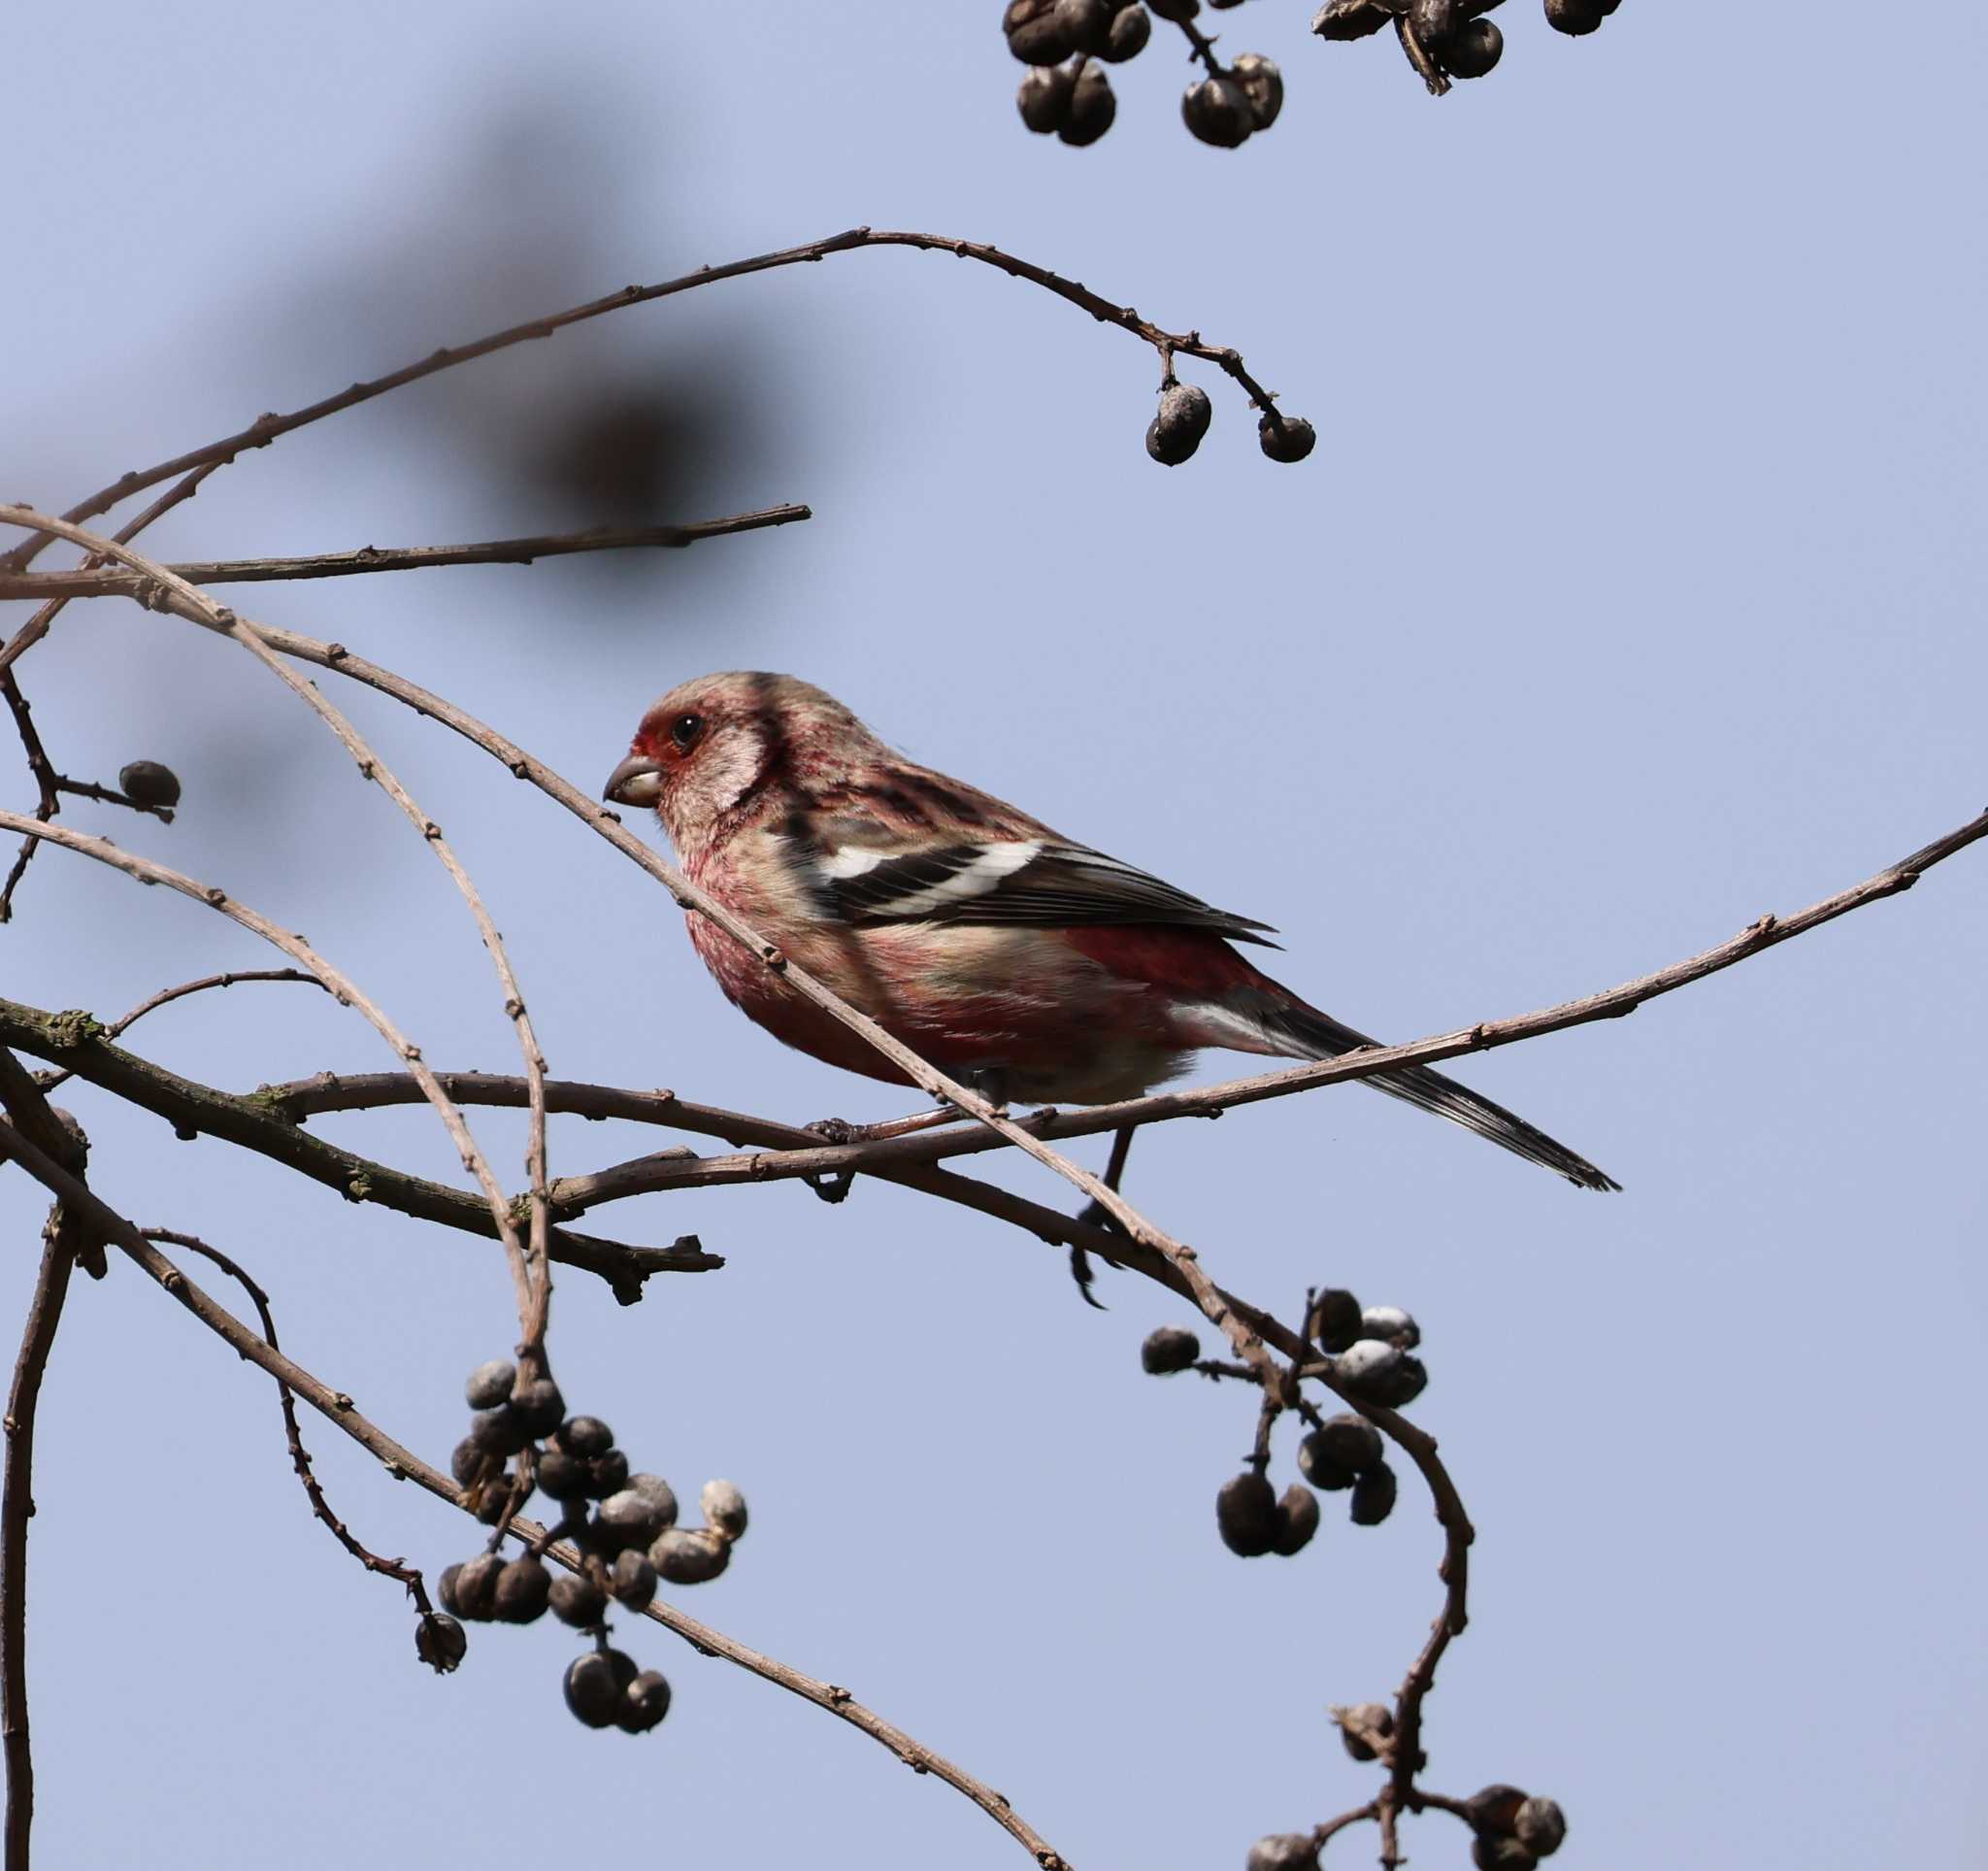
column 1633, row 592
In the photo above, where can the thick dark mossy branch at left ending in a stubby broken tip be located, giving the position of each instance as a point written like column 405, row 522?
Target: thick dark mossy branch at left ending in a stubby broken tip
column 73, row 1043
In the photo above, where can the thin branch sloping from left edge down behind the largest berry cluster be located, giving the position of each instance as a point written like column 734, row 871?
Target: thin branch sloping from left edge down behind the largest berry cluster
column 403, row 1464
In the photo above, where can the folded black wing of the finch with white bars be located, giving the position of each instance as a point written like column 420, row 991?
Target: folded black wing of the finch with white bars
column 1019, row 880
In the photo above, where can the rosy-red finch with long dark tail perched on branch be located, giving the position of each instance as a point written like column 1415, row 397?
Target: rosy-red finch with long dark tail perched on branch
column 997, row 949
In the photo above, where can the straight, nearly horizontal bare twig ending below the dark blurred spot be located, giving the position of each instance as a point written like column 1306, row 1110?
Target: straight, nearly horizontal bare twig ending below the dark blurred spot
column 108, row 584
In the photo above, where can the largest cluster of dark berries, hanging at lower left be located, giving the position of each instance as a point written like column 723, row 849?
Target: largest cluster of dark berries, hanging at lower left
column 623, row 1524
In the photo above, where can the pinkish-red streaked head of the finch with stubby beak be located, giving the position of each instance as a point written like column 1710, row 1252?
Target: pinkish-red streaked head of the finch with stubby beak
column 723, row 743
